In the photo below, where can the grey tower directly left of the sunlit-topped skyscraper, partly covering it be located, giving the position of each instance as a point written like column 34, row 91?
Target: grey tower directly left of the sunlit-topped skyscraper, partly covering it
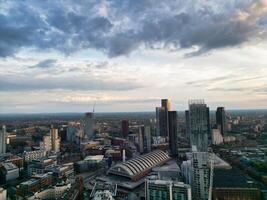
column 161, row 121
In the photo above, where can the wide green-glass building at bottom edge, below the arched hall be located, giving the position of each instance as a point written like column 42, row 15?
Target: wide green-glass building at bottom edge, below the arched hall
column 167, row 190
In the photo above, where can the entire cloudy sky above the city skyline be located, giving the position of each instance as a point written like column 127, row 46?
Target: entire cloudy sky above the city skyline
column 124, row 56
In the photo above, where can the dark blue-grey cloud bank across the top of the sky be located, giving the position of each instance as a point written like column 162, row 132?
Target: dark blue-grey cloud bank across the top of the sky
column 70, row 26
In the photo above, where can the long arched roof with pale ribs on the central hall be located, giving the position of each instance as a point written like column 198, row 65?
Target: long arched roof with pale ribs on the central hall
column 140, row 164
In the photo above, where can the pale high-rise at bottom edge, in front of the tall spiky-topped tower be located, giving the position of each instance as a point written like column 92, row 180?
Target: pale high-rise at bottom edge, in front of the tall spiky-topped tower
column 202, row 175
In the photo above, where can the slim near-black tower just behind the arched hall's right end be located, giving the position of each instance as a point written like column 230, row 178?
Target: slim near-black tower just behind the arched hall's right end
column 173, row 138
